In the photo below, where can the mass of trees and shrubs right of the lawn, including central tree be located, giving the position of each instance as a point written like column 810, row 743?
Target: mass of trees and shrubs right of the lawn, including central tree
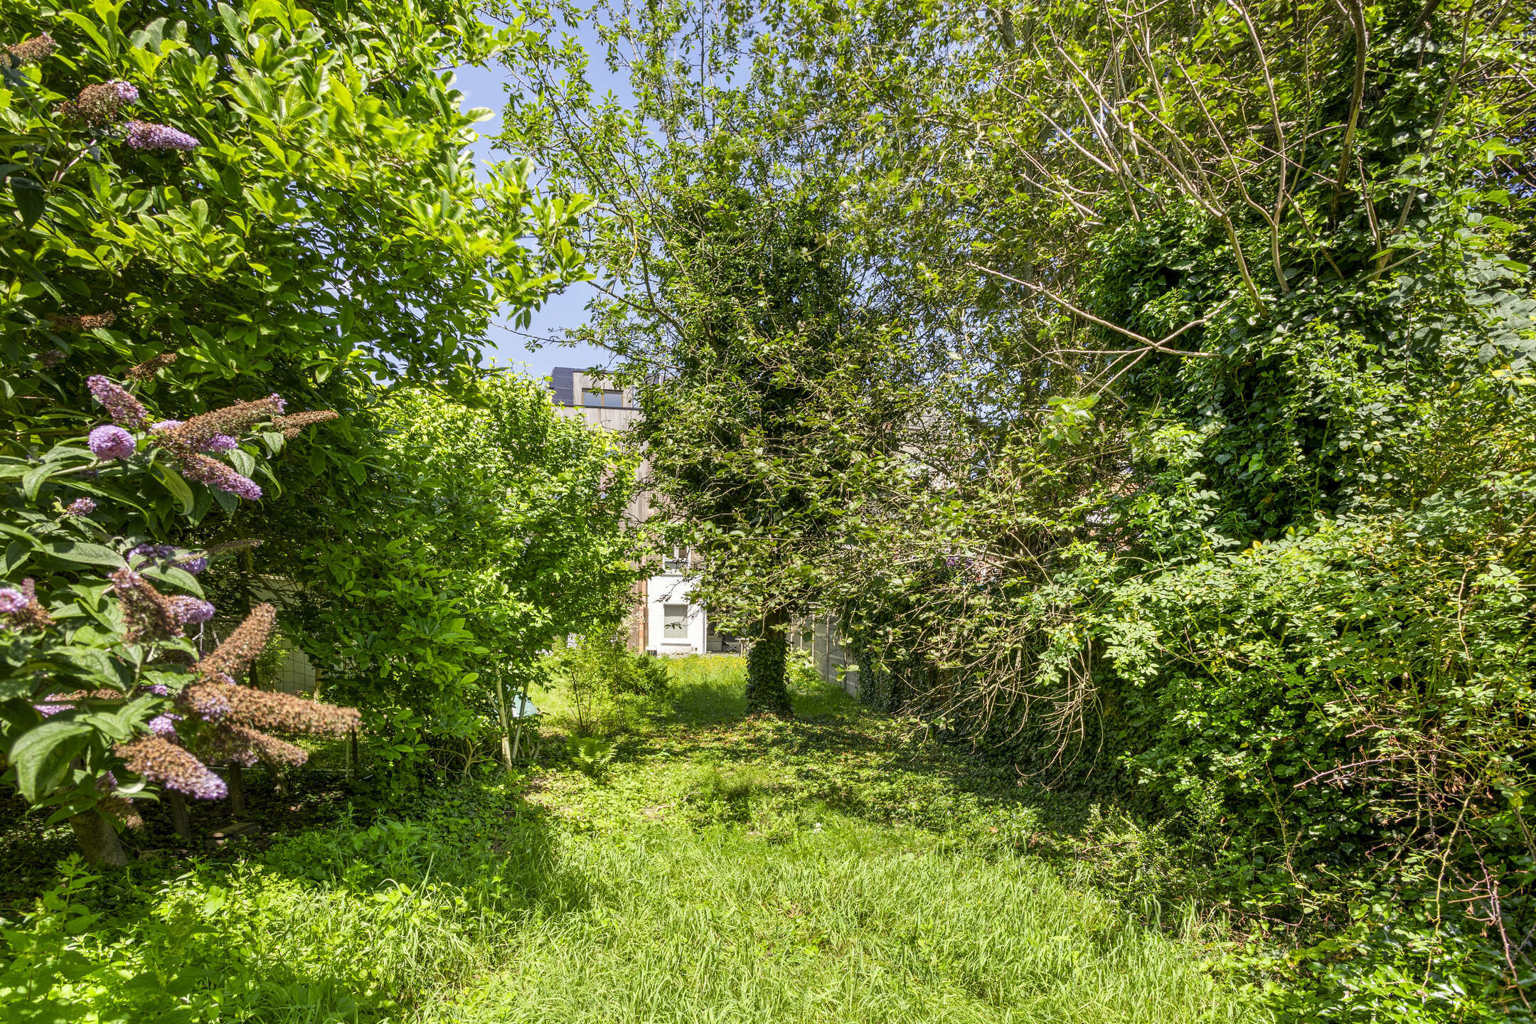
column 1167, row 426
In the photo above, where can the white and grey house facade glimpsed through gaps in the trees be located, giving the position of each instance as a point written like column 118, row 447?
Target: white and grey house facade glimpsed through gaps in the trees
column 666, row 618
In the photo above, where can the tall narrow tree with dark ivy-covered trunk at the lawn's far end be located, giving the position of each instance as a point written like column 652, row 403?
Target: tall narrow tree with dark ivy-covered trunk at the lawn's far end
column 733, row 300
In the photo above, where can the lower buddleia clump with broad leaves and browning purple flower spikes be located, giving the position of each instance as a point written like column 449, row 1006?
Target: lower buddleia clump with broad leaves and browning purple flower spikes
column 105, row 698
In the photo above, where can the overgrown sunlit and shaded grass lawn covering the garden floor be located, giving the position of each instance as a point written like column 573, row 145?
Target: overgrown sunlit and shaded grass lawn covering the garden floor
column 729, row 870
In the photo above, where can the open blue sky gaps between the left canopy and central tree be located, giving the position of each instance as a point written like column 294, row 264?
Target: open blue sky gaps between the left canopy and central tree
column 486, row 87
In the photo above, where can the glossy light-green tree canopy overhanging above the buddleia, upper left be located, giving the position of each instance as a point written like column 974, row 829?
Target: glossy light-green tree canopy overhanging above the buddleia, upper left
column 328, row 223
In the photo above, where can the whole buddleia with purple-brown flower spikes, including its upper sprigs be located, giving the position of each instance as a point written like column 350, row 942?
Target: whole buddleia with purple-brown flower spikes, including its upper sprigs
column 107, row 695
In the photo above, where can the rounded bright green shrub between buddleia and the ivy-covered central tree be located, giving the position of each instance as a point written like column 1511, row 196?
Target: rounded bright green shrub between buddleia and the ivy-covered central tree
column 489, row 530
